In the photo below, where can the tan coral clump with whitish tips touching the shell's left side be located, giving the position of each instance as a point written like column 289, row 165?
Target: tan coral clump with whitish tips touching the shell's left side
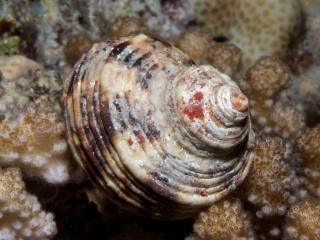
column 34, row 140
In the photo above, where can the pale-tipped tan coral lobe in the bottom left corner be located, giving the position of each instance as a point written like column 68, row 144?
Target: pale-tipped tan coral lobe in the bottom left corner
column 21, row 216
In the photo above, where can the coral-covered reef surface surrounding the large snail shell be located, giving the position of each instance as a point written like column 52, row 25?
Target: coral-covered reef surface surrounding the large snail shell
column 271, row 49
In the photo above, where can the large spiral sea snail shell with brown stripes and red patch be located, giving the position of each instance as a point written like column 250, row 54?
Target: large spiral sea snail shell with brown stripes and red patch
column 159, row 135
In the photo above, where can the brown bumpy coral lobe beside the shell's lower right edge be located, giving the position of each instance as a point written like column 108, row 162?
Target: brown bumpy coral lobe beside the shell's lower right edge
column 271, row 183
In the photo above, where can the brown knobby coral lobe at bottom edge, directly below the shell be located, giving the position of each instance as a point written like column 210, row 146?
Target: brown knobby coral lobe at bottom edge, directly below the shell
column 224, row 220
